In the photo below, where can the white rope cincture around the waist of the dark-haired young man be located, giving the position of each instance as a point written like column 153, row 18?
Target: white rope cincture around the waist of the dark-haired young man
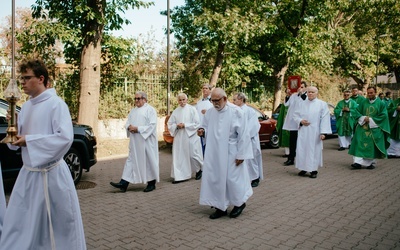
column 44, row 172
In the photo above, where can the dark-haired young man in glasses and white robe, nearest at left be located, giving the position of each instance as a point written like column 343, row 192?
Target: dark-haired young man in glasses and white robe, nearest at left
column 43, row 211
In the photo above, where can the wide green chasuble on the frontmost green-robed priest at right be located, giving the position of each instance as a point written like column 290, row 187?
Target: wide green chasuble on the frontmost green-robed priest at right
column 371, row 142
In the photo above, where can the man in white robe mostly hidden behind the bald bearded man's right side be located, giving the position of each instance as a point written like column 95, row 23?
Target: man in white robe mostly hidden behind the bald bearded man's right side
column 253, row 126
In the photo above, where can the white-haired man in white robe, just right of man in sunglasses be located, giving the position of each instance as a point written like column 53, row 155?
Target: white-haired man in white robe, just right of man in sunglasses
column 187, row 155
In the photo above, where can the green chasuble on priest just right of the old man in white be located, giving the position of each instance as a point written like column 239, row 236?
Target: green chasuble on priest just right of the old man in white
column 345, row 120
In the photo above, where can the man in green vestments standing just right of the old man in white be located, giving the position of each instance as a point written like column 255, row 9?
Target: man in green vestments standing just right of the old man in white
column 345, row 120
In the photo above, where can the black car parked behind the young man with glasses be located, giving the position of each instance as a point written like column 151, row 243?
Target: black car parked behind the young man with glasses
column 81, row 155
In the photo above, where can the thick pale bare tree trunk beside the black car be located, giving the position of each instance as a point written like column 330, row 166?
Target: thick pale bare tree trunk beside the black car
column 90, row 85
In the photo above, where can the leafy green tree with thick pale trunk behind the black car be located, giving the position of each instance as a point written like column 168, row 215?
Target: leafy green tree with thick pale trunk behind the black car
column 89, row 19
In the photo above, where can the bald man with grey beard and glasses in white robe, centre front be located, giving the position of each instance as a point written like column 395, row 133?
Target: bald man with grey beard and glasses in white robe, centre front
column 226, row 178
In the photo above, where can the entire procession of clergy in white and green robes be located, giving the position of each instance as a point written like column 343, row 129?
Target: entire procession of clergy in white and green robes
column 216, row 142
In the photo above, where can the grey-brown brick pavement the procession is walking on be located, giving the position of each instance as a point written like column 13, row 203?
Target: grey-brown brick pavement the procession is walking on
column 341, row 209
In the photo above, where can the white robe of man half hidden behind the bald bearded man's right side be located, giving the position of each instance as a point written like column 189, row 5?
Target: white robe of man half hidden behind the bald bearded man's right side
column 253, row 126
